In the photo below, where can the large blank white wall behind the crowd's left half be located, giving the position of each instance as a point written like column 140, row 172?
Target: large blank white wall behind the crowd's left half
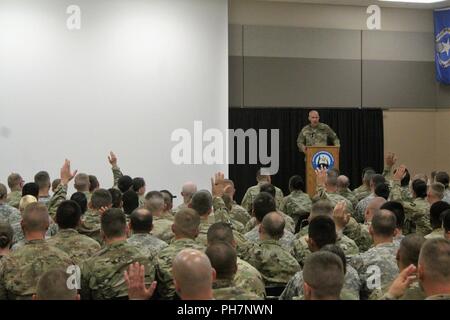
column 136, row 71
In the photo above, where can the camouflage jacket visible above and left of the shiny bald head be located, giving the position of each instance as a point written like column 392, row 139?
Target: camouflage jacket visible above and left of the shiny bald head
column 166, row 289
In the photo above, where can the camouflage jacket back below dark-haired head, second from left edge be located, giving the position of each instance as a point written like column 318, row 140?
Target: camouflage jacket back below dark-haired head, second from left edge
column 77, row 246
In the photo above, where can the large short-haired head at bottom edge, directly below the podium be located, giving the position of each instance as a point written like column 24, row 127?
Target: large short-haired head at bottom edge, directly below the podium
column 323, row 275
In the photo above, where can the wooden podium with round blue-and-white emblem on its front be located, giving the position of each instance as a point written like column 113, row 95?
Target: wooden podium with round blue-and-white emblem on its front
column 327, row 156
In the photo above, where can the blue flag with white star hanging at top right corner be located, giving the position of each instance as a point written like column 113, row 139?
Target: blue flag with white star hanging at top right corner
column 442, row 37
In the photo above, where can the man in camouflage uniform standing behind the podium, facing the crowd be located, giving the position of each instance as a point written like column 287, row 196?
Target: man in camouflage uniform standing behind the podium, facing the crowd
column 316, row 134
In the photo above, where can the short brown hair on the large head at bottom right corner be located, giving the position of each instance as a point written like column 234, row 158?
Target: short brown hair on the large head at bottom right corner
column 435, row 260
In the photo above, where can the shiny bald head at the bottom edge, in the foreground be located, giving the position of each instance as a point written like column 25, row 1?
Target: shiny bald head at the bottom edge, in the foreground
column 193, row 275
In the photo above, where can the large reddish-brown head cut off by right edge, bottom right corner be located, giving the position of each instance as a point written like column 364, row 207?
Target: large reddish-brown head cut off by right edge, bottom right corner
column 433, row 270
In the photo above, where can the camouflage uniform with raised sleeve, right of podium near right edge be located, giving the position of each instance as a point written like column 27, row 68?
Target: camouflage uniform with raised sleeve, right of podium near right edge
column 417, row 213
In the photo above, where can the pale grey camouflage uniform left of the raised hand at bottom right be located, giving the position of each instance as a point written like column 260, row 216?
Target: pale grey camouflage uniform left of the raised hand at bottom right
column 382, row 256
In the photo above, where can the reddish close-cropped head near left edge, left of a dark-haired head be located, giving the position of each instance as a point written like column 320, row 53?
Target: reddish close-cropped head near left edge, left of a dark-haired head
column 35, row 220
